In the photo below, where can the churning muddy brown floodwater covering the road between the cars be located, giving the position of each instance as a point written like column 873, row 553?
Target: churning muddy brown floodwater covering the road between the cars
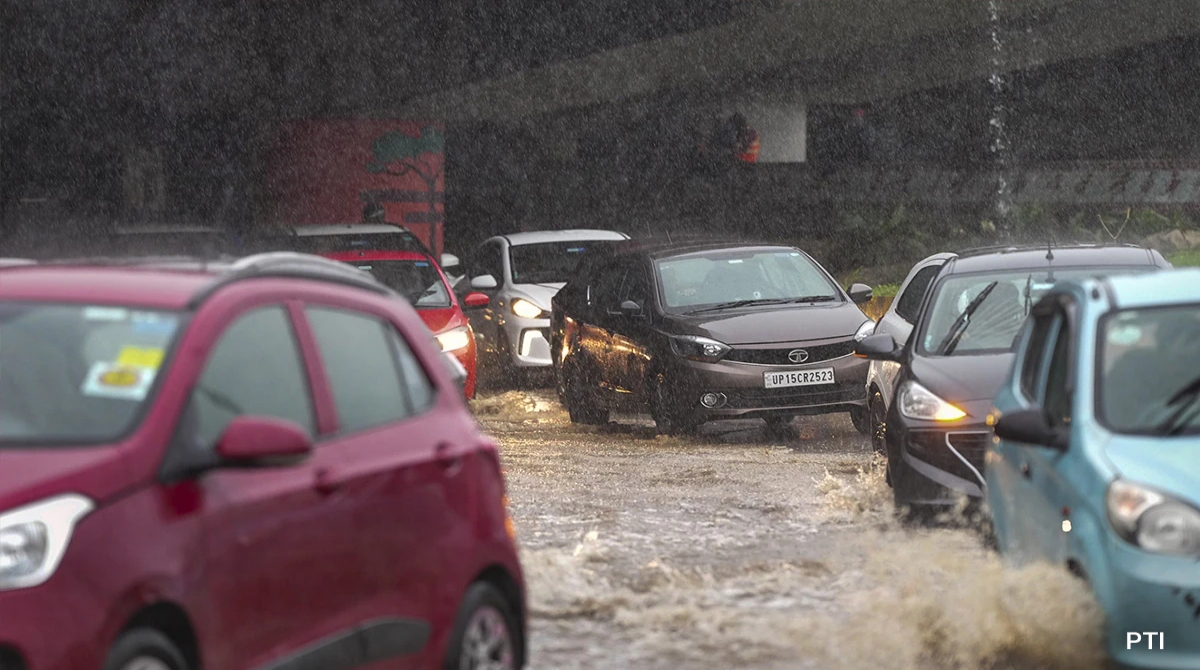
column 742, row 549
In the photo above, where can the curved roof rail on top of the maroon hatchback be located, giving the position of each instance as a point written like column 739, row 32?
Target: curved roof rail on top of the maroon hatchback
column 292, row 265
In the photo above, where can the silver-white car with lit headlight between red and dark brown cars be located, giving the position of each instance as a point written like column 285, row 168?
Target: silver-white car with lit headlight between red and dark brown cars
column 521, row 273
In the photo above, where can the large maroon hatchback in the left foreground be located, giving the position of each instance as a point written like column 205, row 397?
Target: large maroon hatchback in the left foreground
column 263, row 464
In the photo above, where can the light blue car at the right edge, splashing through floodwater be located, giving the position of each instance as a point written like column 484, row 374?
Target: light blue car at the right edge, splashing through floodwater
column 1096, row 458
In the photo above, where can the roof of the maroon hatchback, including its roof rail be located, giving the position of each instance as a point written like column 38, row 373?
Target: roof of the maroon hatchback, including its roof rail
column 166, row 283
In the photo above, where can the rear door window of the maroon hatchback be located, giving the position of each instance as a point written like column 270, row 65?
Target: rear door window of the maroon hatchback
column 361, row 363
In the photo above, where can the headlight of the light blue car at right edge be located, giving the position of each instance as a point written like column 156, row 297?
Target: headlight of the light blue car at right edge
column 1154, row 522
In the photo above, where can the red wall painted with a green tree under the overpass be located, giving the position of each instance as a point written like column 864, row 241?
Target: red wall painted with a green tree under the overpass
column 316, row 172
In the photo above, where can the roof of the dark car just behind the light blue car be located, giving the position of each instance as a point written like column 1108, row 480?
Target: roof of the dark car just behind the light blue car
column 1069, row 256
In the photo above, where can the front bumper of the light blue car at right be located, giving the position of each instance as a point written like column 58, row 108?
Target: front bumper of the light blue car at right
column 1150, row 594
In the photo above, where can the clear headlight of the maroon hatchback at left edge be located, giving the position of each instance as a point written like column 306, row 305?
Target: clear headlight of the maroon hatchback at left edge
column 34, row 539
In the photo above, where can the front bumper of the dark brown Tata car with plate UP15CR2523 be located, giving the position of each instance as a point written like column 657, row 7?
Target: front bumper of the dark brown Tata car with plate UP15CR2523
column 743, row 391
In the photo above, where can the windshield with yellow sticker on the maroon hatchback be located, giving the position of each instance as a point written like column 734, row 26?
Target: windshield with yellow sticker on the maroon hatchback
column 79, row 374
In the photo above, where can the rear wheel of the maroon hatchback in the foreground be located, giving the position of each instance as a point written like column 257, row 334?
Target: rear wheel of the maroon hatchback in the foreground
column 485, row 632
